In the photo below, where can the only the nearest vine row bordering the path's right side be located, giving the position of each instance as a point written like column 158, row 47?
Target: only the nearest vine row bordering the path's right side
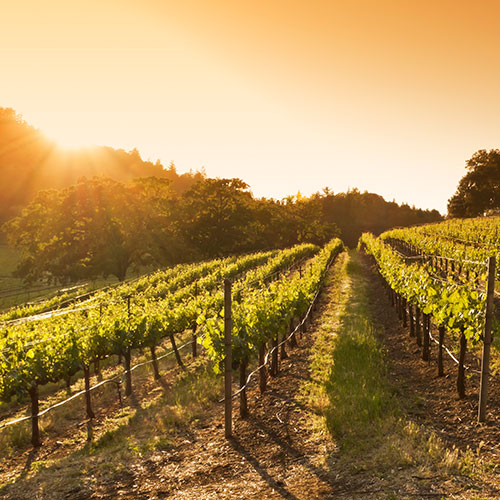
column 463, row 311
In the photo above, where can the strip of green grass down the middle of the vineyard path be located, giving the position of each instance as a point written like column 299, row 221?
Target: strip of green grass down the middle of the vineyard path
column 358, row 391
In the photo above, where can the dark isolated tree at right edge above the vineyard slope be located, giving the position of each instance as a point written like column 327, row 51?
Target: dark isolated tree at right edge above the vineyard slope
column 479, row 189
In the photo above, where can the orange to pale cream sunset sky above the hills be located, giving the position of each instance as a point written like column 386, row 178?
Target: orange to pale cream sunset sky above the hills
column 389, row 96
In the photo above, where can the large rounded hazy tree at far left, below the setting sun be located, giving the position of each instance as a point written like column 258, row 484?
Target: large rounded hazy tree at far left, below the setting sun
column 91, row 229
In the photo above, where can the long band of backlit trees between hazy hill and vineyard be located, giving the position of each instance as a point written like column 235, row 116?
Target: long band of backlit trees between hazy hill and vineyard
column 103, row 227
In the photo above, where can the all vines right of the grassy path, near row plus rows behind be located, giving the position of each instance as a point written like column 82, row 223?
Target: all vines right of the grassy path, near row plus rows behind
column 434, row 278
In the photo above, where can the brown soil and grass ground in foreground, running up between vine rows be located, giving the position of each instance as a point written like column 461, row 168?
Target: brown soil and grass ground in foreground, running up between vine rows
column 332, row 424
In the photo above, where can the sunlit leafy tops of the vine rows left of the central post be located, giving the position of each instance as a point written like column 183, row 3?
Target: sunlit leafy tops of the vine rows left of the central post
column 166, row 303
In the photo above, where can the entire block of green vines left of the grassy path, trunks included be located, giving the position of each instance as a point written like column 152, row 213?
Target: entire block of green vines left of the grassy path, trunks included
column 59, row 344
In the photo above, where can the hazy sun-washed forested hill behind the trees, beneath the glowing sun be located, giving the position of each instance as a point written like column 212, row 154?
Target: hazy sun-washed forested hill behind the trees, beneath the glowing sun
column 29, row 162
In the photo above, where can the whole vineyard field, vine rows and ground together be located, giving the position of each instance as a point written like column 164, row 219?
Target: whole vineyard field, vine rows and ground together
column 346, row 403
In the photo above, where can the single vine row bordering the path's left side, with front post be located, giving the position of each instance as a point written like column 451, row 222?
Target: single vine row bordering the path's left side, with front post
column 259, row 323
